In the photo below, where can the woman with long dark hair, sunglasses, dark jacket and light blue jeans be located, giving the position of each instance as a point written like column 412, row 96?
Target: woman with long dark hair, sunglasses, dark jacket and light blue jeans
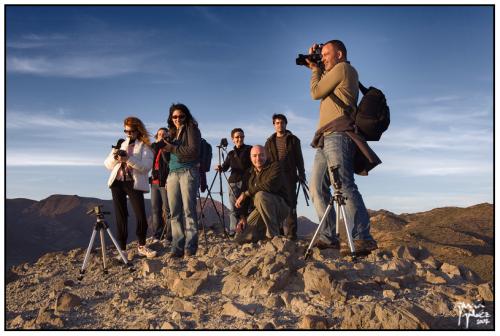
column 183, row 180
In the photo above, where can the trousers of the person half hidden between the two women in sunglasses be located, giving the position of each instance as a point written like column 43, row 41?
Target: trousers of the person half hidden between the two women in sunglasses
column 159, row 205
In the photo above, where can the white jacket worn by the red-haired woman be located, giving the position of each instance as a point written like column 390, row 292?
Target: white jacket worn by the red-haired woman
column 141, row 163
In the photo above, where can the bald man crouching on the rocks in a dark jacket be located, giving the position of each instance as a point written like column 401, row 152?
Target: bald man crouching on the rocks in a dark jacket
column 267, row 189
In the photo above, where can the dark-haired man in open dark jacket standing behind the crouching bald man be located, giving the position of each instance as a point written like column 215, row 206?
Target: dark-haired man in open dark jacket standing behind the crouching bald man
column 285, row 147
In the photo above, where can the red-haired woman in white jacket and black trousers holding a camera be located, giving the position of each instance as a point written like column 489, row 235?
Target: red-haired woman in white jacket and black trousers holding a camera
column 130, row 165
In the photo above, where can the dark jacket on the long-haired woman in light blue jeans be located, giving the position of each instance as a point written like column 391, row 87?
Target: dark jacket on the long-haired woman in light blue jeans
column 187, row 144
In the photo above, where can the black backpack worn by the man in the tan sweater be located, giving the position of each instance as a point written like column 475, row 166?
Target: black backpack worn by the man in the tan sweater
column 372, row 116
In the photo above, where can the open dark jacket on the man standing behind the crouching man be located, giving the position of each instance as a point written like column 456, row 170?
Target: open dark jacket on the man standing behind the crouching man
column 293, row 162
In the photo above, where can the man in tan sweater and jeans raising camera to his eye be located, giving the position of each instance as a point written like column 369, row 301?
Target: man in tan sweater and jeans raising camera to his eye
column 336, row 79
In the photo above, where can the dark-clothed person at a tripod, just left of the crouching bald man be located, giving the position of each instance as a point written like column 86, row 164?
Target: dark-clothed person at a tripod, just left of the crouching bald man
column 239, row 161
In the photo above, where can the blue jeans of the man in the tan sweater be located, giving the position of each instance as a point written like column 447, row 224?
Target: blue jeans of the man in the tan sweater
column 339, row 150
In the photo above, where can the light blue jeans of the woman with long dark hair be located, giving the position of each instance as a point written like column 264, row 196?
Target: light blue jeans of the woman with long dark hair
column 182, row 187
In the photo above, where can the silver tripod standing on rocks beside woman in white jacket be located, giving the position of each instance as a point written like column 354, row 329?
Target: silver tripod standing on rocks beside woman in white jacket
column 100, row 226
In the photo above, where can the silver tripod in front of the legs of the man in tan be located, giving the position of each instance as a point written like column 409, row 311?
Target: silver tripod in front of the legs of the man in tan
column 339, row 200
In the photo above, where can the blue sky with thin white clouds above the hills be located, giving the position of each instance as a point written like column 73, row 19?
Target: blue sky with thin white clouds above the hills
column 74, row 73
